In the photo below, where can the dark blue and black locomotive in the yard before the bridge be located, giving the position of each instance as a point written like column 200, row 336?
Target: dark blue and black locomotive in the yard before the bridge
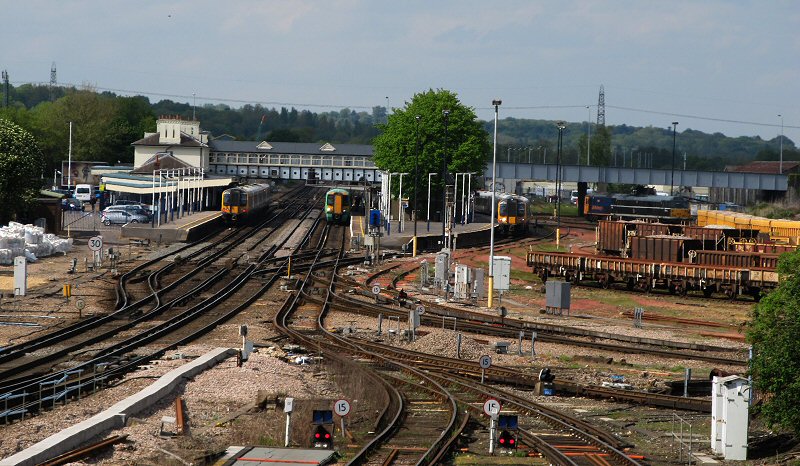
column 665, row 209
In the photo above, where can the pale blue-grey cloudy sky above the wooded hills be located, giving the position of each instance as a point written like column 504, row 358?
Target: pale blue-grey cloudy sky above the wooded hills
column 715, row 66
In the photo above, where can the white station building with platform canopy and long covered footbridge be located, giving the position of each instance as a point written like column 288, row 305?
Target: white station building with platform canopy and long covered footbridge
column 179, row 155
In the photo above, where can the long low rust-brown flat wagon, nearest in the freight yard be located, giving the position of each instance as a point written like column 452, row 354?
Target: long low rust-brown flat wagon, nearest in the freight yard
column 645, row 275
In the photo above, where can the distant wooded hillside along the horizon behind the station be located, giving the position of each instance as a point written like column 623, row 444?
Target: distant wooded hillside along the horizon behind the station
column 125, row 118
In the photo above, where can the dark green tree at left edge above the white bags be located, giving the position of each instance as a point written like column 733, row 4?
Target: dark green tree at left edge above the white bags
column 20, row 168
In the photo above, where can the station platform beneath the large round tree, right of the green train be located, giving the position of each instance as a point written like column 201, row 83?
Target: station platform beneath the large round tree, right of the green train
column 427, row 240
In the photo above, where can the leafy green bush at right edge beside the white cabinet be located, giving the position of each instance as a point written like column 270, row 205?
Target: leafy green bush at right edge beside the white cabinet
column 774, row 333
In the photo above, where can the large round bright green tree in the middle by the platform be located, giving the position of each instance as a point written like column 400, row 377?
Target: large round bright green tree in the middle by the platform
column 467, row 141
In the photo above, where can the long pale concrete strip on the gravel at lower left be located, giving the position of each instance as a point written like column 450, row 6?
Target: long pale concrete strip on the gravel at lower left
column 115, row 416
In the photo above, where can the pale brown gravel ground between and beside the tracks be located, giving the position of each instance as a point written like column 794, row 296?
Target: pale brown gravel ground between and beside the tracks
column 226, row 389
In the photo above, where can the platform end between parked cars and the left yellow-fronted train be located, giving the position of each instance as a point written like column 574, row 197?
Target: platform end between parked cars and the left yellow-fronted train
column 186, row 228
